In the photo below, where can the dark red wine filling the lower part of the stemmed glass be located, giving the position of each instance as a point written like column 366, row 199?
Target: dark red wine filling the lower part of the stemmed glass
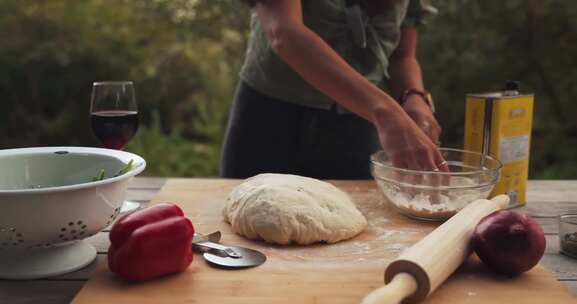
column 114, row 129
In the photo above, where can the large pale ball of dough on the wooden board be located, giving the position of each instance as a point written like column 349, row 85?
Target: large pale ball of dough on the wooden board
column 283, row 208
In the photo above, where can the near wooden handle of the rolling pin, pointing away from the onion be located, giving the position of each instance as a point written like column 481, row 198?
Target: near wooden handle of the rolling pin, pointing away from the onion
column 401, row 286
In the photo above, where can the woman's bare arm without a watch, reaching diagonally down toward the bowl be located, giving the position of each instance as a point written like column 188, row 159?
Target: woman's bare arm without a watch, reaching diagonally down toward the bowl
column 317, row 62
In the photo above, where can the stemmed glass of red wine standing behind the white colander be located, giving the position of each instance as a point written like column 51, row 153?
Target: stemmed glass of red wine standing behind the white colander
column 114, row 118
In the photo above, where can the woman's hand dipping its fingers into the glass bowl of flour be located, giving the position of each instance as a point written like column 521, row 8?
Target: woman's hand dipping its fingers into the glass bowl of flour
column 406, row 144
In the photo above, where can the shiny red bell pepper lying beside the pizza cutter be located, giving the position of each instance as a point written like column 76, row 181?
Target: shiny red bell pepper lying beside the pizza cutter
column 150, row 243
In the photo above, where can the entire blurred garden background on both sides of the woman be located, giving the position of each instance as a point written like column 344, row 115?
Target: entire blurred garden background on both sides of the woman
column 184, row 57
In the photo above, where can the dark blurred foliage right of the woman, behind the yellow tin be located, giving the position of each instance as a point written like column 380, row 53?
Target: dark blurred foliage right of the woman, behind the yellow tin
column 475, row 46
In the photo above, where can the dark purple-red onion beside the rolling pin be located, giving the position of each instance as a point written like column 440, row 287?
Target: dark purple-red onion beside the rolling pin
column 509, row 242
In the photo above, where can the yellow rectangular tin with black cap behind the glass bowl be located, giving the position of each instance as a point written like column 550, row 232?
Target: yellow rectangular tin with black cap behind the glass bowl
column 499, row 124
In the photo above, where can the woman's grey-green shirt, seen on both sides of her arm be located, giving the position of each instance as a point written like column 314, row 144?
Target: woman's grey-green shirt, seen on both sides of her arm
column 365, row 42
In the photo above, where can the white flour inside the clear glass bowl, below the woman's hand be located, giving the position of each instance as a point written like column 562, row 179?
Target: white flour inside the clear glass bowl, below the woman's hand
column 430, row 204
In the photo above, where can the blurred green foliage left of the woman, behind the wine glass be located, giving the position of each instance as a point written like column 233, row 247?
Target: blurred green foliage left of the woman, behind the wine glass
column 182, row 55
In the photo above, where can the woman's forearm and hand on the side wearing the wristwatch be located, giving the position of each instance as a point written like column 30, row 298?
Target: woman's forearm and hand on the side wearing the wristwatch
column 406, row 74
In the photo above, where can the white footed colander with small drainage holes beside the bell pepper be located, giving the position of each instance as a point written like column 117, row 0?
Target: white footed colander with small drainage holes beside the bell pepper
column 49, row 204
